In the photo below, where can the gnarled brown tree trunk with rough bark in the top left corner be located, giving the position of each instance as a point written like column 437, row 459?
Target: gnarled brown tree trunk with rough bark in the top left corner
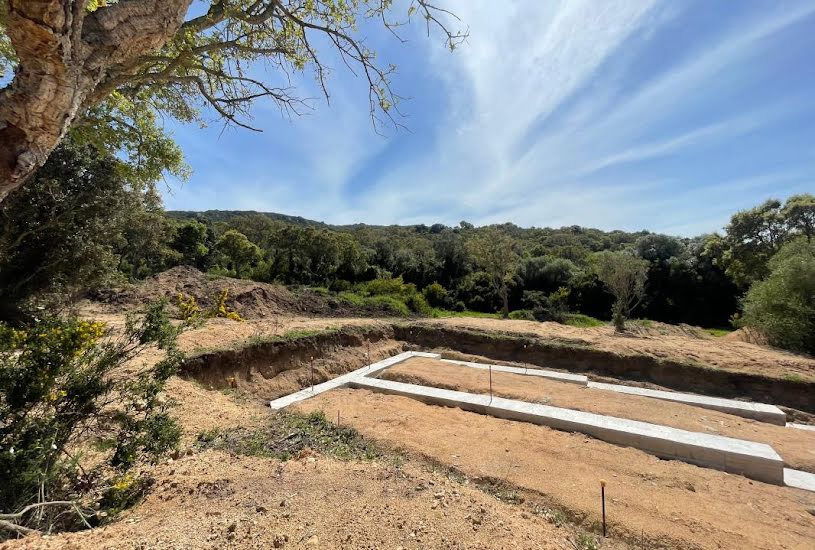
column 64, row 54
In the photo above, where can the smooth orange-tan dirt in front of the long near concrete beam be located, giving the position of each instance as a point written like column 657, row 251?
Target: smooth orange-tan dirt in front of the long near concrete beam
column 654, row 501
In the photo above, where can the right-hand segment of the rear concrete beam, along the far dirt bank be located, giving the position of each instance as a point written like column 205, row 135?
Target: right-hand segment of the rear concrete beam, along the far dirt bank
column 757, row 411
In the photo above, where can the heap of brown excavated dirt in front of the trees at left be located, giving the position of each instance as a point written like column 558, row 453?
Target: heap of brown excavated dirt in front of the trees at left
column 251, row 299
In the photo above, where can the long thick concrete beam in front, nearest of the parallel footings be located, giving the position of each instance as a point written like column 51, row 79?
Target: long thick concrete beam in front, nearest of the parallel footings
column 755, row 460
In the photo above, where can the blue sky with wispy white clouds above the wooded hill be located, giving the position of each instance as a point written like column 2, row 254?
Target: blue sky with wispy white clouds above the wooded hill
column 622, row 114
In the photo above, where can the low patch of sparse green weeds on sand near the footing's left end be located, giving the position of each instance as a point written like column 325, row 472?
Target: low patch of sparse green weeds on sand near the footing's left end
column 288, row 435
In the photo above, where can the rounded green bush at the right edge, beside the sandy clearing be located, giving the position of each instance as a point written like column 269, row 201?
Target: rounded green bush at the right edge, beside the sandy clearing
column 782, row 307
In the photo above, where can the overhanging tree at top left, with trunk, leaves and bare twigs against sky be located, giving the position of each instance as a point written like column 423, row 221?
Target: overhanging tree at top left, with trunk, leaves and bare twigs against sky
column 105, row 69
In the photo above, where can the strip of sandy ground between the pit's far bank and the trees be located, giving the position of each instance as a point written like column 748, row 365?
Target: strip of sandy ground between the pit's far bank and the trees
column 663, row 341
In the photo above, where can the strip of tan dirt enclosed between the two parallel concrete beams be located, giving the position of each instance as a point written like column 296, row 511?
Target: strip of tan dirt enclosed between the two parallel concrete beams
column 796, row 447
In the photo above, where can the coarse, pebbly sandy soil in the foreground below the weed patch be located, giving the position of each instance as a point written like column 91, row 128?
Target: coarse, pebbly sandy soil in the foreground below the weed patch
column 214, row 500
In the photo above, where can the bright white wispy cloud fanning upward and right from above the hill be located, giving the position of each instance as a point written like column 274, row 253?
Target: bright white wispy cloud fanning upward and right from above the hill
column 523, row 66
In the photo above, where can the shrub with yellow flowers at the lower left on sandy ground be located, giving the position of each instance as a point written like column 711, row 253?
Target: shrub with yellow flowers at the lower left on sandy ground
column 60, row 391
